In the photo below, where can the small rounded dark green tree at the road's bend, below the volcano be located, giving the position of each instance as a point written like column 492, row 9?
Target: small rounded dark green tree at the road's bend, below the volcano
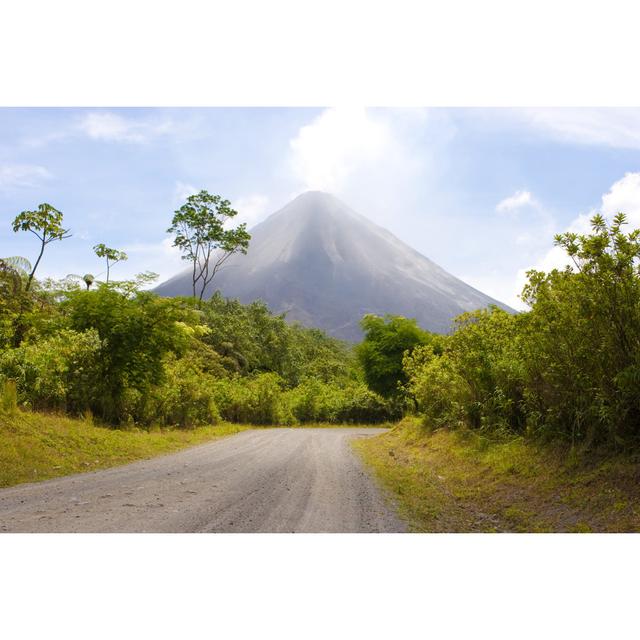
column 381, row 352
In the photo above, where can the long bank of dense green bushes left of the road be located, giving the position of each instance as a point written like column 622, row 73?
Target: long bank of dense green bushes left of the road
column 128, row 356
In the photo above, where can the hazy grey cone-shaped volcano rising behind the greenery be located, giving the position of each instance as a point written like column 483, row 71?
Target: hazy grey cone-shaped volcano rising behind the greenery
column 326, row 266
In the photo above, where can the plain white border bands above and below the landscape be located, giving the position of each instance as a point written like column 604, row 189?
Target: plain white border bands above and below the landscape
column 318, row 53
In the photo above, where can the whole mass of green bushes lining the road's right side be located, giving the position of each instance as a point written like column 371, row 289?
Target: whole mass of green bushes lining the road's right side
column 568, row 368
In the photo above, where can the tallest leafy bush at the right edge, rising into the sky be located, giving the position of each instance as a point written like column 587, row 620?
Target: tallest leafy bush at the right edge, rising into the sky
column 582, row 351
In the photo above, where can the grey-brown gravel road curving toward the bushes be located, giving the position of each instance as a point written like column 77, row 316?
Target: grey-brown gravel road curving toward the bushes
column 264, row 480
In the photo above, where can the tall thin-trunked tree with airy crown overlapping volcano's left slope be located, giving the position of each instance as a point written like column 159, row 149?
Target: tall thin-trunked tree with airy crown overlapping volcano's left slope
column 198, row 227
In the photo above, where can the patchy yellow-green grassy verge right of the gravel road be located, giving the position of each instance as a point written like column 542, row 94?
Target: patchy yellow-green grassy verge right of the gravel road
column 461, row 482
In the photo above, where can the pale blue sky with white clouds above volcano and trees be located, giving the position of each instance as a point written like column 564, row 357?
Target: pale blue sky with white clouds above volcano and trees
column 480, row 191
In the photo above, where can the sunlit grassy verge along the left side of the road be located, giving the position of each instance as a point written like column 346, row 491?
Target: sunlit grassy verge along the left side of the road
column 36, row 446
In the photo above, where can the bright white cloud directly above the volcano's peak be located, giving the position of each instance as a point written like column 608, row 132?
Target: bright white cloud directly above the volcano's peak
column 378, row 161
